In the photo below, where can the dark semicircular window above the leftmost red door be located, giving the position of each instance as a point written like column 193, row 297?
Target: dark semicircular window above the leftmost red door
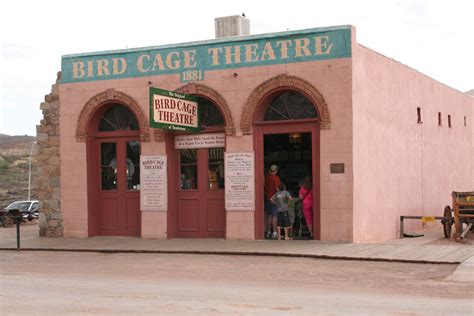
column 118, row 118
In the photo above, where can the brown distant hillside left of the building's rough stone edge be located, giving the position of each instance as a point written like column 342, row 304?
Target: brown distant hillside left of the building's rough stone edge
column 14, row 166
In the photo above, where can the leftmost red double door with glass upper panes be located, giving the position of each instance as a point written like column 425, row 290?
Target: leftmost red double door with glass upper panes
column 118, row 202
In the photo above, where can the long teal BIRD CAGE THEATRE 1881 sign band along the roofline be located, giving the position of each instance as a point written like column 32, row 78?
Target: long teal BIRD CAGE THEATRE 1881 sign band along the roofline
column 191, row 61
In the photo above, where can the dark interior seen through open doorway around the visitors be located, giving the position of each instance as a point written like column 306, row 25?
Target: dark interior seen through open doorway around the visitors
column 292, row 153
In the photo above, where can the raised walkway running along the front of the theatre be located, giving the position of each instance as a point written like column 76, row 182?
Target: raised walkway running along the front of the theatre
column 413, row 250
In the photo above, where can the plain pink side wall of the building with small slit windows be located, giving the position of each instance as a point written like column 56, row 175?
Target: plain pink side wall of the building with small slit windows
column 402, row 167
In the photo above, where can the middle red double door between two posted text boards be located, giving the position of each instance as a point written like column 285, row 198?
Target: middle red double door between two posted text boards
column 200, row 194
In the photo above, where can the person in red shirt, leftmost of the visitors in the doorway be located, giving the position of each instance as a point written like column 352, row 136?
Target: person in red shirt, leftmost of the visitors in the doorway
column 272, row 182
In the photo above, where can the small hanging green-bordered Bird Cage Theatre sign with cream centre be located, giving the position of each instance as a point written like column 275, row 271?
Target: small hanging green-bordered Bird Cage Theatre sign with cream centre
column 174, row 111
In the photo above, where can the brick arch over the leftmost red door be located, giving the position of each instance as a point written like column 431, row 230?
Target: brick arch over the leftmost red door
column 111, row 95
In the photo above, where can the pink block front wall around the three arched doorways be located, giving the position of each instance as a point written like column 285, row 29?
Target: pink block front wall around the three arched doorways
column 330, row 77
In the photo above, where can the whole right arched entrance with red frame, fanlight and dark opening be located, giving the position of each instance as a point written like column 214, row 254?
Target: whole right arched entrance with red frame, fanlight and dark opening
column 287, row 130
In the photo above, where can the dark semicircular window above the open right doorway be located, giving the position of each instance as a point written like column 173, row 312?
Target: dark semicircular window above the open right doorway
column 290, row 105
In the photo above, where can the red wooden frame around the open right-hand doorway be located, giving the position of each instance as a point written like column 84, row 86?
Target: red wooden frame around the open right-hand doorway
column 283, row 127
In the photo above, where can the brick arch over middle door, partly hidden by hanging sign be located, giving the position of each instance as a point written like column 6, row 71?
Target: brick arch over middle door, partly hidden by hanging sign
column 216, row 98
